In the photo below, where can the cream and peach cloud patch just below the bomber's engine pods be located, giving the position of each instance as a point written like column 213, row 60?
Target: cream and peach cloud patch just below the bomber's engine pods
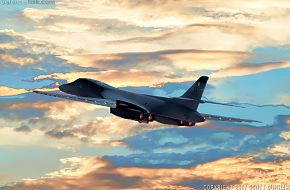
column 99, row 130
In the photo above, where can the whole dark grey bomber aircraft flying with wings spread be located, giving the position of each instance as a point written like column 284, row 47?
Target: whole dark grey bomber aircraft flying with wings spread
column 180, row 111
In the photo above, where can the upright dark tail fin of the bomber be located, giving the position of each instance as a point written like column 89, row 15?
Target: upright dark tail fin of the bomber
column 196, row 90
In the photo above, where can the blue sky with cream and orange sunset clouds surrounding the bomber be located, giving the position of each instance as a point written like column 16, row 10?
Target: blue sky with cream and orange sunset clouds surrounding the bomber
column 156, row 47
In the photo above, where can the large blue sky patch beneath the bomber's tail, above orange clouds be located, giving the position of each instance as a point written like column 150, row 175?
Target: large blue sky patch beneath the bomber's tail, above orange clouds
column 182, row 147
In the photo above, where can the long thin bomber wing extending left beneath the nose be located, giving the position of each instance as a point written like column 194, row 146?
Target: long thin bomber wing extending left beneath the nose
column 97, row 101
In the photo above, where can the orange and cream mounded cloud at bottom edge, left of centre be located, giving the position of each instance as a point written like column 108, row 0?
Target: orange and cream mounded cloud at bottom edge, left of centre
column 88, row 172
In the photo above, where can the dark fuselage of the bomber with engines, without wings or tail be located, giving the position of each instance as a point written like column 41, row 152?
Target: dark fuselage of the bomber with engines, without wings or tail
column 139, row 107
